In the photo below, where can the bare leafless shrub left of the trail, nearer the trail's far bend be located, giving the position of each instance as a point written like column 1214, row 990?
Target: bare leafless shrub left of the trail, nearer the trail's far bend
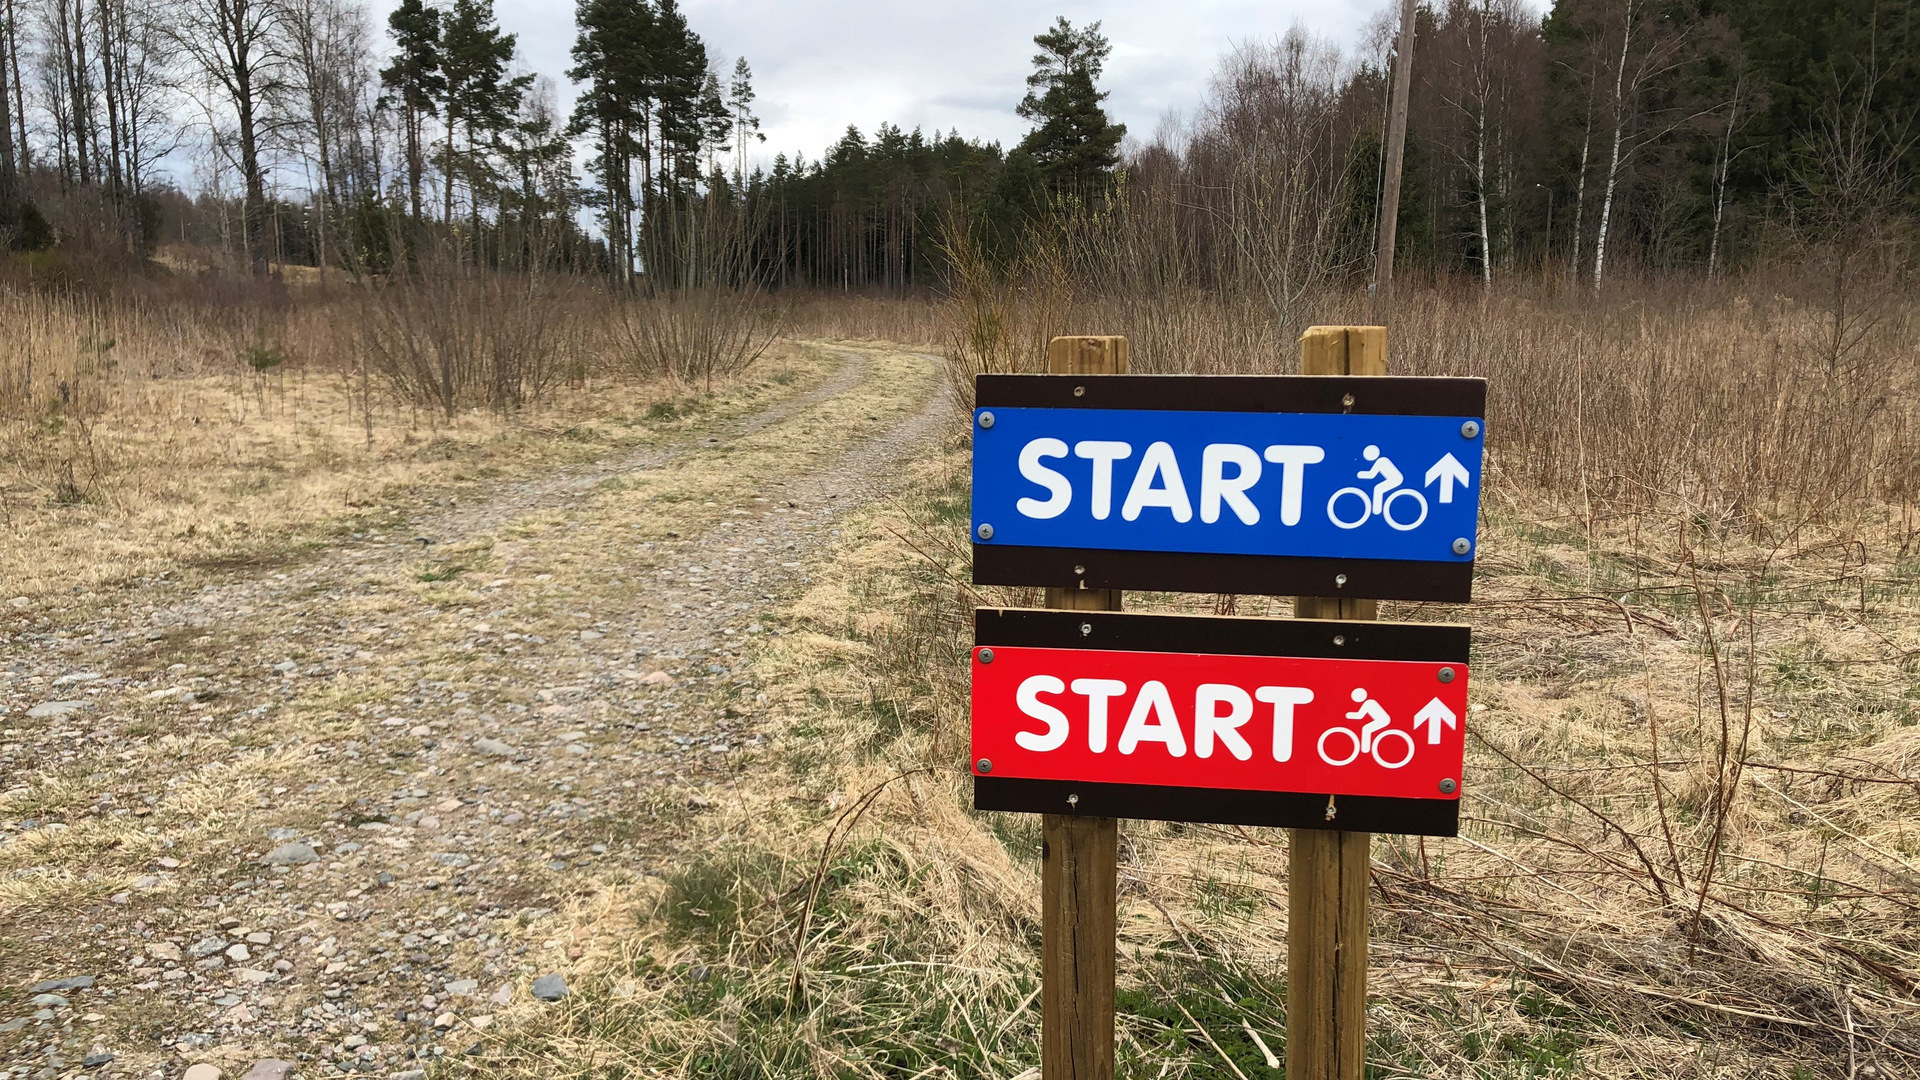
column 702, row 310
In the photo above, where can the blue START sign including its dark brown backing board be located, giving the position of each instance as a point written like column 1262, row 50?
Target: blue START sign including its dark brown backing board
column 1166, row 495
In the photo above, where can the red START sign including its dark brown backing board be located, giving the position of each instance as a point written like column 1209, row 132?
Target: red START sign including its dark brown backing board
column 1295, row 708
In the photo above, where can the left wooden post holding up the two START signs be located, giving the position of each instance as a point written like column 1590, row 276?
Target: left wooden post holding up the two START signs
column 1080, row 856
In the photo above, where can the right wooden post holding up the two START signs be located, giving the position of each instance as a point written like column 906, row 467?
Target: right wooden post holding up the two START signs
column 1328, row 871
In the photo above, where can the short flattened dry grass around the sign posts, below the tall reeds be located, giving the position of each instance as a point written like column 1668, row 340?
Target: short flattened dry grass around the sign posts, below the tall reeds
column 1562, row 935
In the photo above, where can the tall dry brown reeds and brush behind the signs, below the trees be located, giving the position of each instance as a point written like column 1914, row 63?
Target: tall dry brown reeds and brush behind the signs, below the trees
column 1752, row 401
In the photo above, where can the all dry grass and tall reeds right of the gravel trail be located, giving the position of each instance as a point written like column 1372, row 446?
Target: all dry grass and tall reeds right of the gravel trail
column 1687, row 847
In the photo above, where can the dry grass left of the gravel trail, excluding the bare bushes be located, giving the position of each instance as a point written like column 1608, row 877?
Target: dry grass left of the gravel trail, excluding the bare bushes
column 137, row 437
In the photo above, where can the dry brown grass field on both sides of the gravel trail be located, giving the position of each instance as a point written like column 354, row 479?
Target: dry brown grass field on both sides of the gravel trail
column 1691, row 791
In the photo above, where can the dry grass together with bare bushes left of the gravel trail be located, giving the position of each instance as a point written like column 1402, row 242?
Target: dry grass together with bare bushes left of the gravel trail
column 206, row 422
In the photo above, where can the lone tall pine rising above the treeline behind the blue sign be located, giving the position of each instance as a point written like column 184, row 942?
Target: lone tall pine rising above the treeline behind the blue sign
column 1074, row 145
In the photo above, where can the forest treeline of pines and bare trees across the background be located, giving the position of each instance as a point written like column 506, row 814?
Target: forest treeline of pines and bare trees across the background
column 1666, row 135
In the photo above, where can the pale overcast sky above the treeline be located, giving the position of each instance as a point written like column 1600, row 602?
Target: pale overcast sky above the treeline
column 821, row 66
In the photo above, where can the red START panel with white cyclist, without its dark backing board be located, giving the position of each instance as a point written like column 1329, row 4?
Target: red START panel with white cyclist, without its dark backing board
column 1343, row 727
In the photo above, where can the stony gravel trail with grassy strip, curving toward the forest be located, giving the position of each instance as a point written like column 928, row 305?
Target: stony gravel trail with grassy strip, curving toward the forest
column 329, row 814
